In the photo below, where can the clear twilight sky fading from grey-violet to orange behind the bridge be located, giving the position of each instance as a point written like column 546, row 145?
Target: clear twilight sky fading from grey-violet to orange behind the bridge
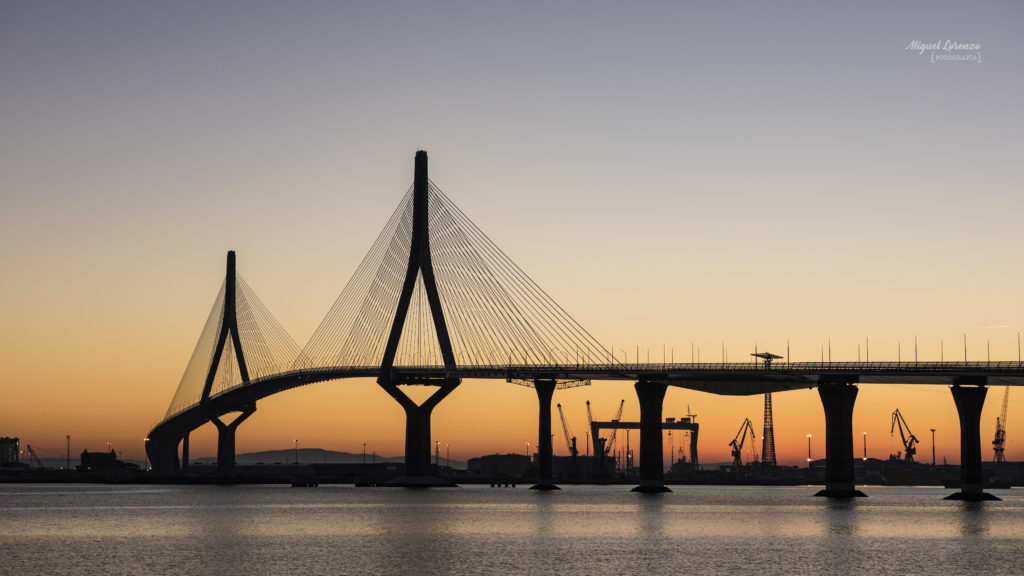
column 670, row 173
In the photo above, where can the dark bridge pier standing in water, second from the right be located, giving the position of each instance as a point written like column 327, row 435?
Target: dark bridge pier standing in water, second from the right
column 838, row 399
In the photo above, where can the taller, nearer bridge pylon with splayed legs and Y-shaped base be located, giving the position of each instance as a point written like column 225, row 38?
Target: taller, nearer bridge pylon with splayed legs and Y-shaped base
column 418, row 471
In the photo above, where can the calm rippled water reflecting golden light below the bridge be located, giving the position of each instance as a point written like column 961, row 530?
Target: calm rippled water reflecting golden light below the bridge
column 91, row 529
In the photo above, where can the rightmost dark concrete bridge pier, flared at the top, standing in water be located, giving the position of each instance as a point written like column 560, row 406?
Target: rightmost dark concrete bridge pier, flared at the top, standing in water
column 969, row 401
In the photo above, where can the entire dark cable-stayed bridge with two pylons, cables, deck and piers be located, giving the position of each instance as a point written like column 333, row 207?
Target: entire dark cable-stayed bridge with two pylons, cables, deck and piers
column 436, row 302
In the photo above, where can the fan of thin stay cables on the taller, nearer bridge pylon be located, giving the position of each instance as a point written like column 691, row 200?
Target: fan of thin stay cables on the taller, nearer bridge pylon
column 495, row 314
